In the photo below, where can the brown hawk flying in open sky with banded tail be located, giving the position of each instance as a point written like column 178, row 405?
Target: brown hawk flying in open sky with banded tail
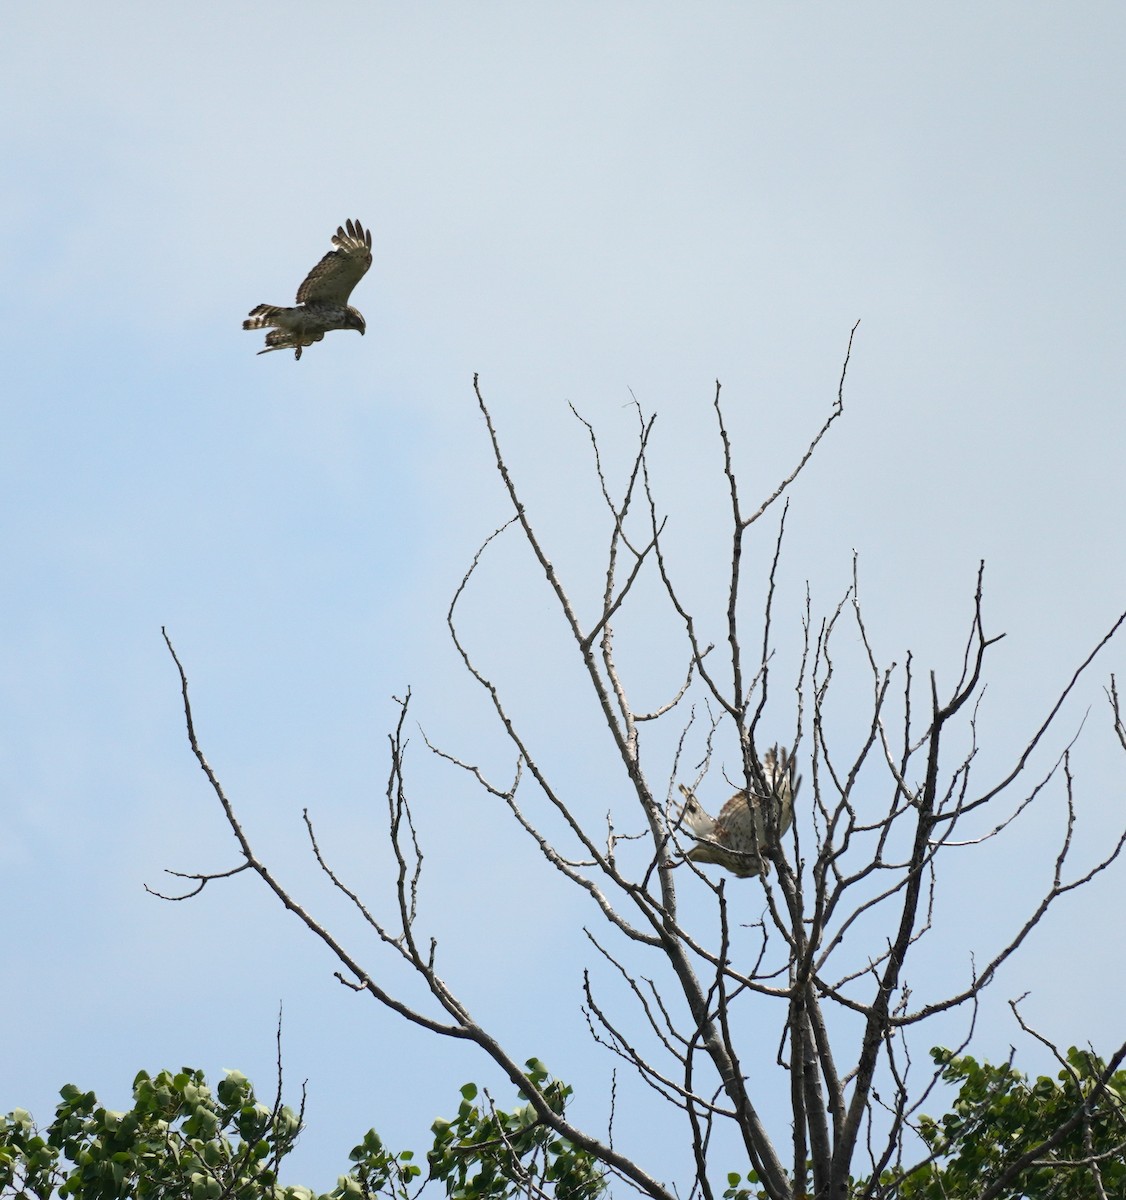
column 322, row 299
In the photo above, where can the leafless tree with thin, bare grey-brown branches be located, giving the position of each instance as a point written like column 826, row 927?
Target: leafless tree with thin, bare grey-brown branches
column 847, row 889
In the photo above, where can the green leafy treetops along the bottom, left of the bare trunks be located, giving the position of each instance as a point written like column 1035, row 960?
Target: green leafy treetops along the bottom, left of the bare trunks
column 182, row 1142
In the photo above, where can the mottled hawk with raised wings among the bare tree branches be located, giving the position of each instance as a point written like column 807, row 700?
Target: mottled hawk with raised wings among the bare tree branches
column 729, row 841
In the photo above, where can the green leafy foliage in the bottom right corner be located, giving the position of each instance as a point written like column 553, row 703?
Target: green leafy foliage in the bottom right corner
column 999, row 1115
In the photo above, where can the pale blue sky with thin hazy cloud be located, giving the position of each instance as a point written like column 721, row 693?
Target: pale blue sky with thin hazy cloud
column 577, row 202
